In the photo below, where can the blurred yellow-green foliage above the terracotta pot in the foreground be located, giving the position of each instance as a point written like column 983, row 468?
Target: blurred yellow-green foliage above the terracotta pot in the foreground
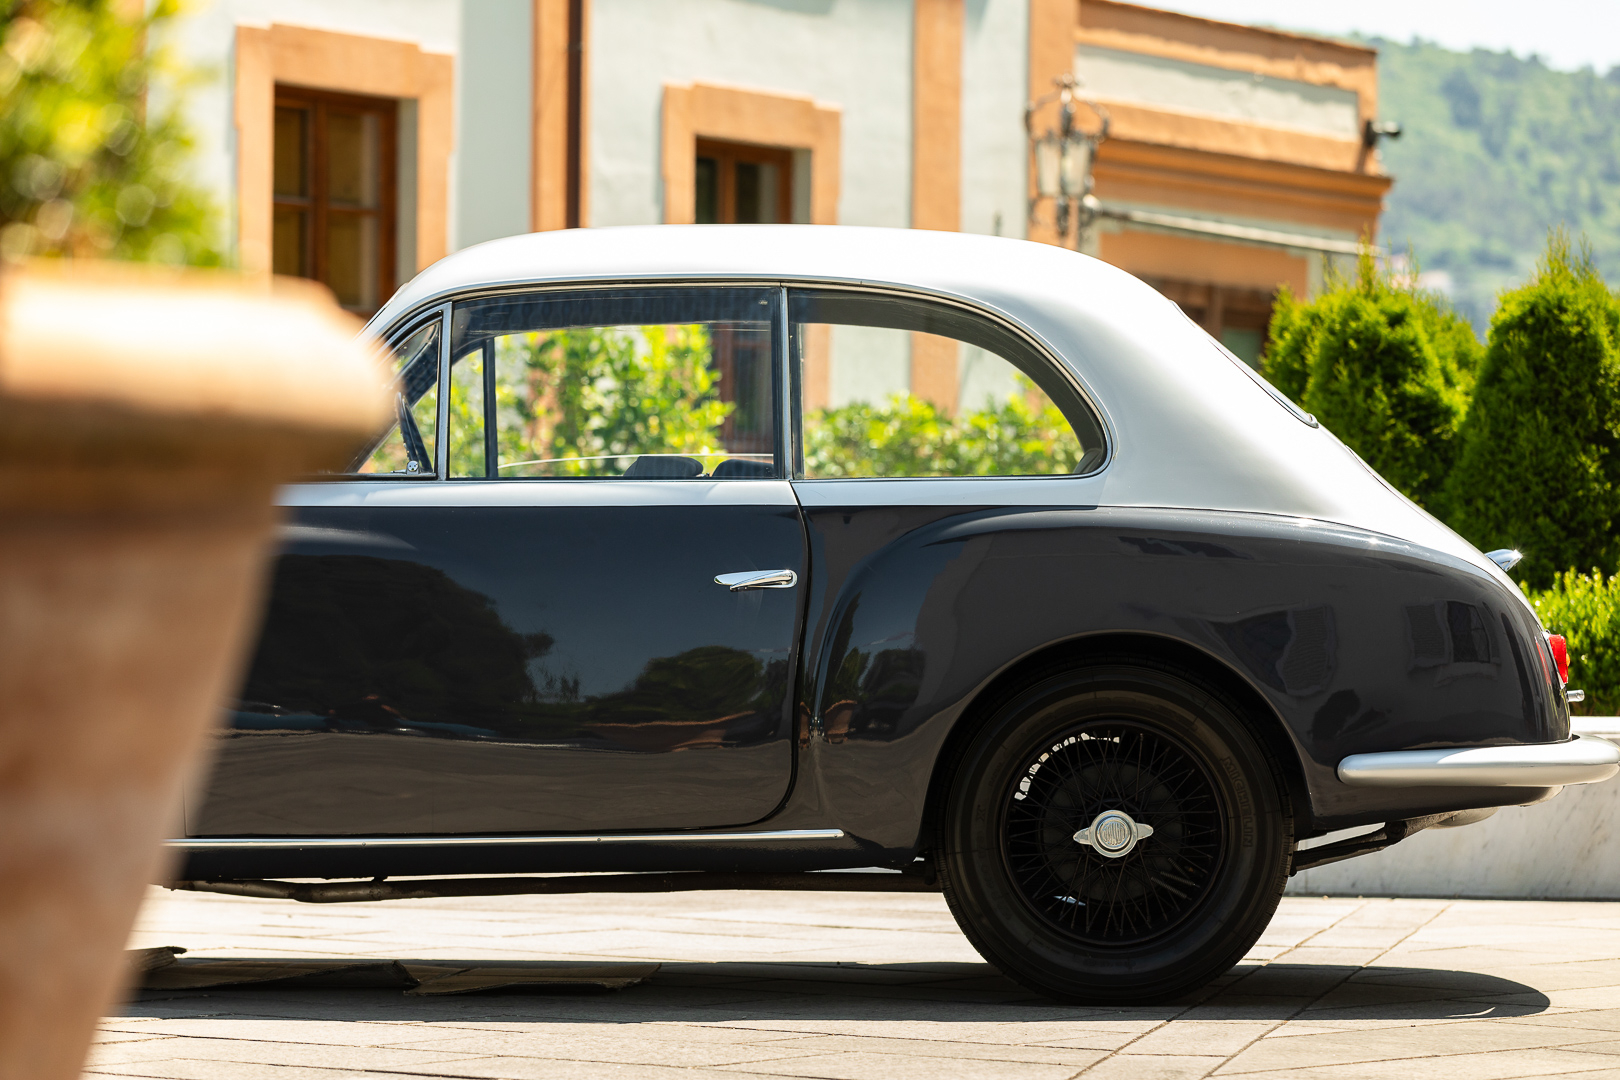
column 90, row 163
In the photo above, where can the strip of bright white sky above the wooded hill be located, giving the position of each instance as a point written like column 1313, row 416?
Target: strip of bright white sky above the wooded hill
column 1567, row 35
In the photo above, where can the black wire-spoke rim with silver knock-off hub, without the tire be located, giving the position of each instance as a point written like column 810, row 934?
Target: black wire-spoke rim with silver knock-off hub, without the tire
column 1114, row 778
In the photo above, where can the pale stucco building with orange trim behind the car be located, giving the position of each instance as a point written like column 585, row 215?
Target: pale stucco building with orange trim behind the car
column 360, row 140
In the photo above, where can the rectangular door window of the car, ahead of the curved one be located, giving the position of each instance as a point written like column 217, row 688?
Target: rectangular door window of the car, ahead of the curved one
column 641, row 385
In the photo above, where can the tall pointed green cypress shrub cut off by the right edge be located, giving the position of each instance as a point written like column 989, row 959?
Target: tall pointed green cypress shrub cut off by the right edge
column 1540, row 469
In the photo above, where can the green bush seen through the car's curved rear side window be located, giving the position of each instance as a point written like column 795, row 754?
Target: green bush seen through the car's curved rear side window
column 908, row 436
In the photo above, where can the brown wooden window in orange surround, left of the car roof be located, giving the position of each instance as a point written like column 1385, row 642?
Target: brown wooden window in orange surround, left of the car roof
column 336, row 192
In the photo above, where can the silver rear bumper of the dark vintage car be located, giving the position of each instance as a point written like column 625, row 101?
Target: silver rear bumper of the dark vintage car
column 1584, row 760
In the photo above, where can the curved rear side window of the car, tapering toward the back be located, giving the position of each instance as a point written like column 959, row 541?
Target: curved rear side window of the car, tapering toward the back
column 893, row 386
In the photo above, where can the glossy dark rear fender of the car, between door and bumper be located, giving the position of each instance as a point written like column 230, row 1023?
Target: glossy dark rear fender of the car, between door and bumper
column 1316, row 629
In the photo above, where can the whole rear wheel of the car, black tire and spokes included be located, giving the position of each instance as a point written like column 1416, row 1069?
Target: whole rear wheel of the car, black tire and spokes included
column 1046, row 861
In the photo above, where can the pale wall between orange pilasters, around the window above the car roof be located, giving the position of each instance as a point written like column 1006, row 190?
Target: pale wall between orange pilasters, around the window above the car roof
column 855, row 54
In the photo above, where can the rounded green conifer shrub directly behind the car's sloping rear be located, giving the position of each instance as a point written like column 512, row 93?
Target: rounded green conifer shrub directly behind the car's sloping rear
column 1384, row 367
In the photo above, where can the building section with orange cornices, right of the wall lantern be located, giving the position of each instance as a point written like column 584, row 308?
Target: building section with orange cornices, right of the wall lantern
column 1216, row 127
